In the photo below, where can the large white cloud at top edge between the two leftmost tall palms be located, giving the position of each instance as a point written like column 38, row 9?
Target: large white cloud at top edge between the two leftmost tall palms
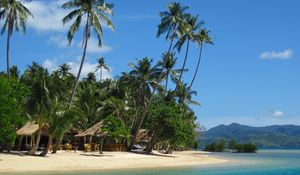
column 48, row 15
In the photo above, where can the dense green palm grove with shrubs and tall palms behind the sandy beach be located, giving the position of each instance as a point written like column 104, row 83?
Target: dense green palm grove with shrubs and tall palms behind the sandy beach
column 141, row 98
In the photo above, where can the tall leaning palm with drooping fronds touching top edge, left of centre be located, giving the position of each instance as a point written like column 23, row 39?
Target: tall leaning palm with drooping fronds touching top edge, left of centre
column 94, row 11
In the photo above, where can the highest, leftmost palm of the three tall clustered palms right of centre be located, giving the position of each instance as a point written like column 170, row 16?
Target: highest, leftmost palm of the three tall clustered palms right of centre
column 171, row 20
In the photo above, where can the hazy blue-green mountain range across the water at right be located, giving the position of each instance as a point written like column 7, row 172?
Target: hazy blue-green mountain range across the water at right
column 275, row 136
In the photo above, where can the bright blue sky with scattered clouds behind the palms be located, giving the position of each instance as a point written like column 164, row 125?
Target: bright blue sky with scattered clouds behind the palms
column 249, row 76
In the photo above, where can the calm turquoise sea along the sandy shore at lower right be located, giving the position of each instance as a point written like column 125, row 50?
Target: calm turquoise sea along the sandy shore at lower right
column 265, row 162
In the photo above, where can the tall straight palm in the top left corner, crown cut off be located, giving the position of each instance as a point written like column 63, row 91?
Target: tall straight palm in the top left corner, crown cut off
column 15, row 15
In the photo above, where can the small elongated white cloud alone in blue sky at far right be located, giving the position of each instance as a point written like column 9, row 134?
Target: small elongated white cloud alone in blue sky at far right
column 284, row 55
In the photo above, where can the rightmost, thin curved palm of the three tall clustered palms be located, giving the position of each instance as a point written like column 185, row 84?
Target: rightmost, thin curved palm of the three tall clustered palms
column 202, row 37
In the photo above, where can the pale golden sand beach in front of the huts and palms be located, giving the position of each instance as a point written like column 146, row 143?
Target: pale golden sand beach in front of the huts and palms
column 71, row 161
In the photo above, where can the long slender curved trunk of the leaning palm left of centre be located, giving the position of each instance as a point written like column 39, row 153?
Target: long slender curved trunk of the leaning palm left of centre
column 81, row 64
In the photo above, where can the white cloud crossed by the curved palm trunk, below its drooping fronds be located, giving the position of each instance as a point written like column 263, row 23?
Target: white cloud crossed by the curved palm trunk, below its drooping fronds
column 94, row 48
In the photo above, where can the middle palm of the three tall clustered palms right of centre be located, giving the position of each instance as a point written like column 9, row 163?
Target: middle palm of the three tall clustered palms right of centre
column 187, row 33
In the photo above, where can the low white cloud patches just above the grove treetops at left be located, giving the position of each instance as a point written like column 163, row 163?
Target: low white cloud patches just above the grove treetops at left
column 52, row 64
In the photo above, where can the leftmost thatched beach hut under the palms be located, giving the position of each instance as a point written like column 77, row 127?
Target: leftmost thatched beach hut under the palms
column 29, row 130
